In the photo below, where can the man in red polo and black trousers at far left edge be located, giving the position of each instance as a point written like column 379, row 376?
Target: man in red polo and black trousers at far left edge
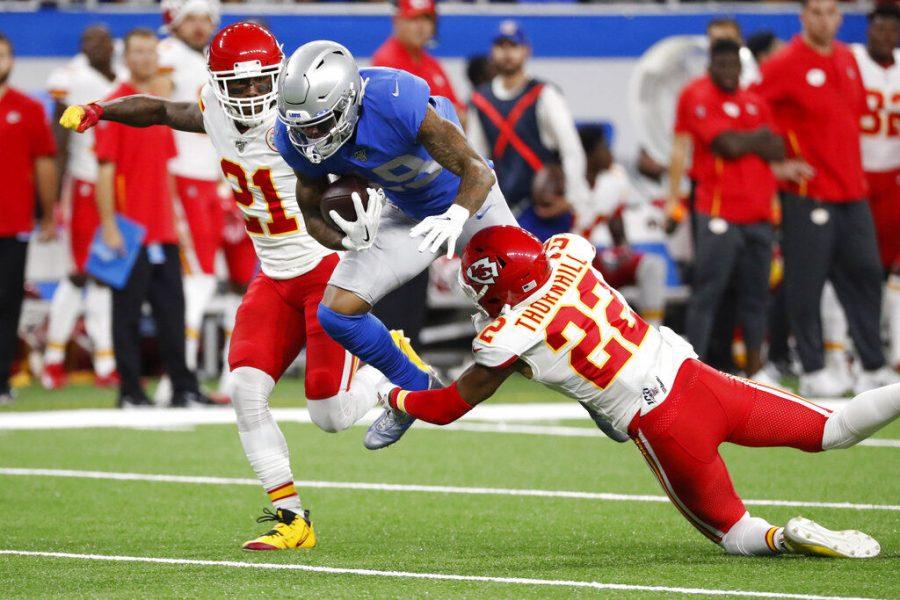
column 28, row 164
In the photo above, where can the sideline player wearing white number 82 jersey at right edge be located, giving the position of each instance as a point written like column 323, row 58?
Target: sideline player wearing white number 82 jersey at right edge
column 879, row 65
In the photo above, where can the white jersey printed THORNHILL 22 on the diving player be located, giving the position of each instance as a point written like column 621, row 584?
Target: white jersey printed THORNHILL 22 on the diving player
column 580, row 337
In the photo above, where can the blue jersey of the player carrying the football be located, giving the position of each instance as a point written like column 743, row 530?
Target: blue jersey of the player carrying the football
column 384, row 148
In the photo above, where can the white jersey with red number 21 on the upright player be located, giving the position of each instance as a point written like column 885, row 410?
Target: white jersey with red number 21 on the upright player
column 264, row 188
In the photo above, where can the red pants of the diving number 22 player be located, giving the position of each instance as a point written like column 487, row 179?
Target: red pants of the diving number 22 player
column 680, row 439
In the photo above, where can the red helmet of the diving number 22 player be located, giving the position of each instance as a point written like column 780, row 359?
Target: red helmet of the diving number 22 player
column 501, row 266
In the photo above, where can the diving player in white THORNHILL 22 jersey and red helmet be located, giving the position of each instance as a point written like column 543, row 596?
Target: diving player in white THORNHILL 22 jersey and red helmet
column 550, row 315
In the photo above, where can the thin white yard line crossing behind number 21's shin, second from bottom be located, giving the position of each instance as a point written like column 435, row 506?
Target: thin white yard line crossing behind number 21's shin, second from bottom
column 432, row 489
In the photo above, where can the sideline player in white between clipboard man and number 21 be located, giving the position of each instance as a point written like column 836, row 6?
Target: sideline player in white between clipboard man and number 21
column 182, row 58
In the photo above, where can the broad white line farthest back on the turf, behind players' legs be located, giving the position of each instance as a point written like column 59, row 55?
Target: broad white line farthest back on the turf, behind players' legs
column 485, row 418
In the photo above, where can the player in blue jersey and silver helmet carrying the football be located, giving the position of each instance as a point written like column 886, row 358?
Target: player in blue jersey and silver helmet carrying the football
column 383, row 125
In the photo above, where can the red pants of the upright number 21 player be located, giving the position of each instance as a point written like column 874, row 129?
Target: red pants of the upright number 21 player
column 277, row 317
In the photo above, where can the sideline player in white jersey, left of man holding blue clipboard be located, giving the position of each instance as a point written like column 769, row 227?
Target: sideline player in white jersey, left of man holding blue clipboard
column 85, row 78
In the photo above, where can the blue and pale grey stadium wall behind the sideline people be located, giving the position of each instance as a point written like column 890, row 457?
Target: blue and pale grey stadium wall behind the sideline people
column 588, row 51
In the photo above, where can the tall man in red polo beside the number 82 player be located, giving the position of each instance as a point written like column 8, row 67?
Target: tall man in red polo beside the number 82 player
column 815, row 90
